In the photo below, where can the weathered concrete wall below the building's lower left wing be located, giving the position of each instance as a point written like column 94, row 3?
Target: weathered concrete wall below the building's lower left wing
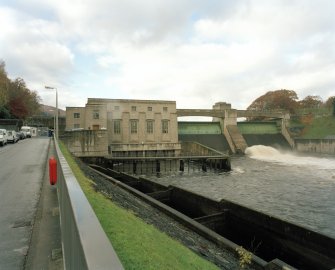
column 86, row 143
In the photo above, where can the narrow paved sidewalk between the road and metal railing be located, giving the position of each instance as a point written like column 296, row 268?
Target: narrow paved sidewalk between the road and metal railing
column 45, row 248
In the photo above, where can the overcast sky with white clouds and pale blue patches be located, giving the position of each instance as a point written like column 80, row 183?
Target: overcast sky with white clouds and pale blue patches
column 192, row 51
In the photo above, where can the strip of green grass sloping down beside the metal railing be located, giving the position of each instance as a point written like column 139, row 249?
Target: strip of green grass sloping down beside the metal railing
column 138, row 244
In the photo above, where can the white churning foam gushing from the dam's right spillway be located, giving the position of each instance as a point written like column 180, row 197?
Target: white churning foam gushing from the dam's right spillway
column 270, row 154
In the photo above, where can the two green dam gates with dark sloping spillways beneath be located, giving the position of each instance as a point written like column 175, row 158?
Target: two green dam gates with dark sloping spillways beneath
column 252, row 132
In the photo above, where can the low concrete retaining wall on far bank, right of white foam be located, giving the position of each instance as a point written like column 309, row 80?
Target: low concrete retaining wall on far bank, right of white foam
column 323, row 146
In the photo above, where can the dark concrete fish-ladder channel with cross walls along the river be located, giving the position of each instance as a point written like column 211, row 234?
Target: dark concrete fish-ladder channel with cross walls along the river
column 273, row 242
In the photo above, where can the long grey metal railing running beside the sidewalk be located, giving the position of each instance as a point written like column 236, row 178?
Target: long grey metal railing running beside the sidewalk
column 84, row 243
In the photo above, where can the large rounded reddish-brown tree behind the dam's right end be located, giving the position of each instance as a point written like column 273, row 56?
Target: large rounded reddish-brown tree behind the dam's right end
column 273, row 100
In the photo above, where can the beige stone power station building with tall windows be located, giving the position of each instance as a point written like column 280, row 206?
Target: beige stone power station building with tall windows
column 134, row 127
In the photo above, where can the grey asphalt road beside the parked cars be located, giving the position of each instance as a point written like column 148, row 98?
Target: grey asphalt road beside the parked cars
column 22, row 169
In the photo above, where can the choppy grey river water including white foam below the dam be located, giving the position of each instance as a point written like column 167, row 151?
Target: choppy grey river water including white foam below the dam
column 296, row 188
